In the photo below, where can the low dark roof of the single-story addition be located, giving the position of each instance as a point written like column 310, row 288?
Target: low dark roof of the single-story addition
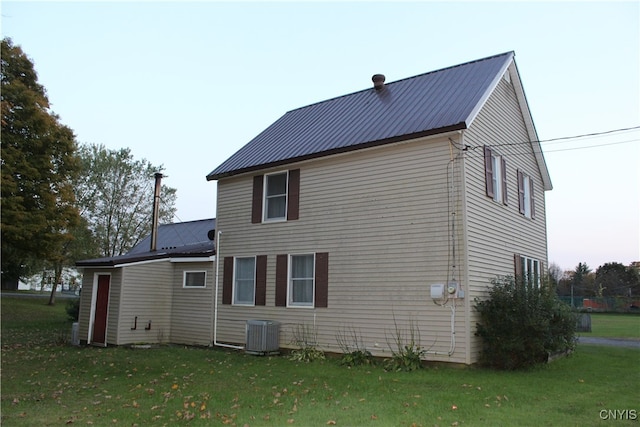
column 178, row 240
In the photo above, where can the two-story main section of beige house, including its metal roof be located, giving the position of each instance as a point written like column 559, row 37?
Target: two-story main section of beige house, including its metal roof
column 388, row 209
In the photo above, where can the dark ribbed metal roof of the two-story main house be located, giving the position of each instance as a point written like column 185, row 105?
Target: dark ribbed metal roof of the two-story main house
column 427, row 104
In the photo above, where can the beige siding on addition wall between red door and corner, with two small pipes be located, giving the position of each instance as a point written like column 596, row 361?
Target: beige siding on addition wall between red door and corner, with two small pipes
column 147, row 296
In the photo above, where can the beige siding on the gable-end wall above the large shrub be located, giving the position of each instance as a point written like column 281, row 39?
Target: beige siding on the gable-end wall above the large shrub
column 496, row 232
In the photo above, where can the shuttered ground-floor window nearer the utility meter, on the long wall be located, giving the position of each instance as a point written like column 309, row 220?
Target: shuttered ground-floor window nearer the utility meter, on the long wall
column 302, row 280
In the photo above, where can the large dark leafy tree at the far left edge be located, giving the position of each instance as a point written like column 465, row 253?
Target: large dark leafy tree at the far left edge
column 39, row 166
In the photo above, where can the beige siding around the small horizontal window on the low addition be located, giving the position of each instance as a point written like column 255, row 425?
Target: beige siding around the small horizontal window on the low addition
column 192, row 308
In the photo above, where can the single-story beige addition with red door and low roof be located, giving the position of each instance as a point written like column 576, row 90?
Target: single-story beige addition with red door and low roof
column 159, row 292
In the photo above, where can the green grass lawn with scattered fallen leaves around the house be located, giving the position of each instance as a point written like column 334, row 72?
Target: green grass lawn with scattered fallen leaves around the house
column 46, row 383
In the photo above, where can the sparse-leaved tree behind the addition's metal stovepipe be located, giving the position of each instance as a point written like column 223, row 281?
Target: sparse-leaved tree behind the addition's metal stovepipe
column 115, row 195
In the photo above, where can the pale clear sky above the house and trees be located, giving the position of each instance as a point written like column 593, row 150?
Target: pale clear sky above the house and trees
column 186, row 84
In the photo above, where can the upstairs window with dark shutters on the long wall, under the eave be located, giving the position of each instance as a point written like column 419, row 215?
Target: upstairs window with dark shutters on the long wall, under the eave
column 276, row 197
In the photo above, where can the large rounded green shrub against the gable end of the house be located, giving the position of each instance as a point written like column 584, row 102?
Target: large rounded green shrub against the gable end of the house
column 522, row 324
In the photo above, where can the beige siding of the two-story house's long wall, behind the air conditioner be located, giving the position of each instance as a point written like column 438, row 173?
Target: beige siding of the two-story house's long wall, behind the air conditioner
column 382, row 215
